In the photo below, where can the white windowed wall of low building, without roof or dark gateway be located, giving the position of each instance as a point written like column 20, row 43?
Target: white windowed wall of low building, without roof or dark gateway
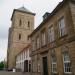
column 24, row 55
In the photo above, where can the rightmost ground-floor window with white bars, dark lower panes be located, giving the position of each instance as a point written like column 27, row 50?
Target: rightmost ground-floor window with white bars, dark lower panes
column 66, row 62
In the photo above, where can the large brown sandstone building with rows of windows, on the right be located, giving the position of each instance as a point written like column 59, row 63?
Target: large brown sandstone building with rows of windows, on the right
column 53, row 42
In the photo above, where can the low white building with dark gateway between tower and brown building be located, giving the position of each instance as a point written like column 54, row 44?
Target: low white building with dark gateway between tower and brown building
column 23, row 60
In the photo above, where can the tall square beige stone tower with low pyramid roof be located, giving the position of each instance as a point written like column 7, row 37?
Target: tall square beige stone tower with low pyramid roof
column 22, row 25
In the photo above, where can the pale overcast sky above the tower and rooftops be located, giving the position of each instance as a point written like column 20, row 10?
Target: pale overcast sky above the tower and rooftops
column 6, row 8
